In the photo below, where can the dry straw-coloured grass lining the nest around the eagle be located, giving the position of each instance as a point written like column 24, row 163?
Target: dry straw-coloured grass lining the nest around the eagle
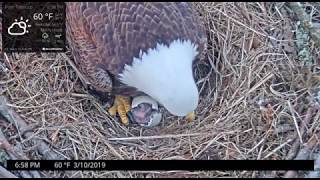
column 254, row 95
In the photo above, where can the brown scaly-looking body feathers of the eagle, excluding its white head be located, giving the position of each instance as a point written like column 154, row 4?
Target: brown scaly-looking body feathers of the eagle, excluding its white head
column 105, row 36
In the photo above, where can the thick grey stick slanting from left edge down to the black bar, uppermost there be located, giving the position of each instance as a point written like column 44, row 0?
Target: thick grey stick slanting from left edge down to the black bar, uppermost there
column 14, row 118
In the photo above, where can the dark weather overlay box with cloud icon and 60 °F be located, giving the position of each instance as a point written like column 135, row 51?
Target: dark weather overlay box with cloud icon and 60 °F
column 33, row 26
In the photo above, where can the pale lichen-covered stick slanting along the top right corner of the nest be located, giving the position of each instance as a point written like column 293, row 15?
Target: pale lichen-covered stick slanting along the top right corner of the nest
column 306, row 24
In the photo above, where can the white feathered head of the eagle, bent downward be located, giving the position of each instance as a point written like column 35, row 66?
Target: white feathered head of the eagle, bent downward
column 165, row 74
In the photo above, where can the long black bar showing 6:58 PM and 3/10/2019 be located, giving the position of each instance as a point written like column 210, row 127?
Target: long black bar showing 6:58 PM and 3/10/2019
column 148, row 165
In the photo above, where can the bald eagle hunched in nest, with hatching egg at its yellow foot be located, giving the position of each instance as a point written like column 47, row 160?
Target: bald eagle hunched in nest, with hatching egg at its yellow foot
column 144, row 51
